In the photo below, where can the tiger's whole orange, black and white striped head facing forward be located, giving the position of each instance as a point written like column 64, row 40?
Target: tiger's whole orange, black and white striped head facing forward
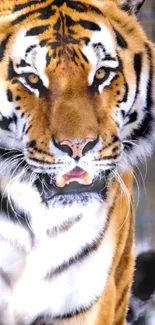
column 76, row 93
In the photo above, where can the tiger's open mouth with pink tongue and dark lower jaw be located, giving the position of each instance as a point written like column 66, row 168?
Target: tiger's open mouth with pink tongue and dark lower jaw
column 74, row 182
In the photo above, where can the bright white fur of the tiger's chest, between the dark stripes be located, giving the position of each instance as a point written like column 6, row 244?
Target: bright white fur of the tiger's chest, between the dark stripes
column 72, row 288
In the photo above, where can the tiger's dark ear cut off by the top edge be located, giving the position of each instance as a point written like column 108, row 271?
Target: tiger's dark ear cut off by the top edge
column 132, row 6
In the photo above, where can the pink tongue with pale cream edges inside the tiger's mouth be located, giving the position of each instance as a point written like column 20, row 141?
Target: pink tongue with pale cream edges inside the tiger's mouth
column 75, row 175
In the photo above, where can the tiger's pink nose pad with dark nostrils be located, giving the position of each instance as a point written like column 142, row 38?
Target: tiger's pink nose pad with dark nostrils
column 77, row 148
